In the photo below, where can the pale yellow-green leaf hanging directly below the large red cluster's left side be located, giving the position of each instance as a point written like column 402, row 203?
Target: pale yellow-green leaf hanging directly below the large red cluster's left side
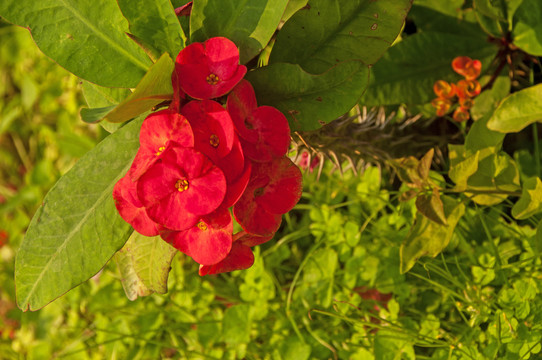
column 151, row 259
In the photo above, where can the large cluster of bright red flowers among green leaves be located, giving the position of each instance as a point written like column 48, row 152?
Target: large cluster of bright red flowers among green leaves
column 198, row 159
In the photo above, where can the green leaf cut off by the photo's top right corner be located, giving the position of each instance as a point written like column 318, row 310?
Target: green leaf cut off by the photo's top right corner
column 528, row 27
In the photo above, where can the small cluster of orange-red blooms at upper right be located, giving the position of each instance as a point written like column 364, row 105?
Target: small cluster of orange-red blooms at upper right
column 465, row 89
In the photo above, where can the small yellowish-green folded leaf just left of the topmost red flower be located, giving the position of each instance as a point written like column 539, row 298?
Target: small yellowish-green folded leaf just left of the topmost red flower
column 154, row 88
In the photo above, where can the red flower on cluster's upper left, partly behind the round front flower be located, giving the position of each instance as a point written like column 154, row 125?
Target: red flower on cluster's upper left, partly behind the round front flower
column 157, row 132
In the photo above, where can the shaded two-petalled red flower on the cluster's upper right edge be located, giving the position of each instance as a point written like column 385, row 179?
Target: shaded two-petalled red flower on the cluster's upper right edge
column 264, row 130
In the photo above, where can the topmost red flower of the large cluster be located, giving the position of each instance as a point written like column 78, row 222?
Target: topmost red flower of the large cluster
column 210, row 69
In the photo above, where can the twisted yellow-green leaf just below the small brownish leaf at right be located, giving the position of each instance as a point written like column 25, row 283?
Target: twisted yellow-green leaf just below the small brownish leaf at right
column 427, row 237
